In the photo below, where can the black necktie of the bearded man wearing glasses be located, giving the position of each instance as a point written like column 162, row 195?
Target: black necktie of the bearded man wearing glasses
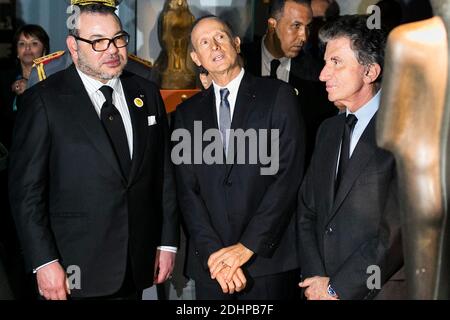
column 112, row 121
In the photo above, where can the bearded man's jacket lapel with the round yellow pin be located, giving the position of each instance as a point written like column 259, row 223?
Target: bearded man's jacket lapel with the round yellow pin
column 139, row 121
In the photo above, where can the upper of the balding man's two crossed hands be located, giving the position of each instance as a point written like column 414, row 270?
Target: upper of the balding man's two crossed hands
column 234, row 257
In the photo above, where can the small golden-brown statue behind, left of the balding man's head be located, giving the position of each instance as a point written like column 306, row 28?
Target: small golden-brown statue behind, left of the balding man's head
column 177, row 21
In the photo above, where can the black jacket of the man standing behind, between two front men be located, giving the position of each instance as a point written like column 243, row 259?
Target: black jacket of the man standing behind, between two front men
column 303, row 76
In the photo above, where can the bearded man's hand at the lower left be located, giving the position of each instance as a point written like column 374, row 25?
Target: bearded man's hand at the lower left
column 52, row 282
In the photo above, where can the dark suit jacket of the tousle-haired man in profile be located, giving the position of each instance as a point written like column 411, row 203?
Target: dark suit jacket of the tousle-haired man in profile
column 341, row 236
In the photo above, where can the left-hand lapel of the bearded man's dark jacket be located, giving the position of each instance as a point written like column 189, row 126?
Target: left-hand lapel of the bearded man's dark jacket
column 82, row 109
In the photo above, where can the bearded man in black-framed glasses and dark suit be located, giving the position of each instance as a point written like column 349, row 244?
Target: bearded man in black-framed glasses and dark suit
column 91, row 183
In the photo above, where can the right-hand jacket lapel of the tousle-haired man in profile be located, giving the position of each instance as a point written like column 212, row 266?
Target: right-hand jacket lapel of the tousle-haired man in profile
column 363, row 152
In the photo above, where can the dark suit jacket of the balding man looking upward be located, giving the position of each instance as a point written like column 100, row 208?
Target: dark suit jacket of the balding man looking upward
column 226, row 204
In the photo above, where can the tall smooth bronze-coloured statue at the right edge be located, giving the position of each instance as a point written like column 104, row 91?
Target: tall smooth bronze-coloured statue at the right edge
column 414, row 123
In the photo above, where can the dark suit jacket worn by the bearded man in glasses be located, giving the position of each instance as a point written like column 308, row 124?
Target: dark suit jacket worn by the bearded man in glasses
column 68, row 195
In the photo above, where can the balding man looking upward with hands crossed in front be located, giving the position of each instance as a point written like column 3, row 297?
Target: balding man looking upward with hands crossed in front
column 240, row 223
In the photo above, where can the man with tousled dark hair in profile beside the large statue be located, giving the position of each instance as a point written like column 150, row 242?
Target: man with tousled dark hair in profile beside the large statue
column 348, row 201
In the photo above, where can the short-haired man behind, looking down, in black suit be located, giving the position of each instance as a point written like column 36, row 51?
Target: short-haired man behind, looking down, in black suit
column 280, row 54
